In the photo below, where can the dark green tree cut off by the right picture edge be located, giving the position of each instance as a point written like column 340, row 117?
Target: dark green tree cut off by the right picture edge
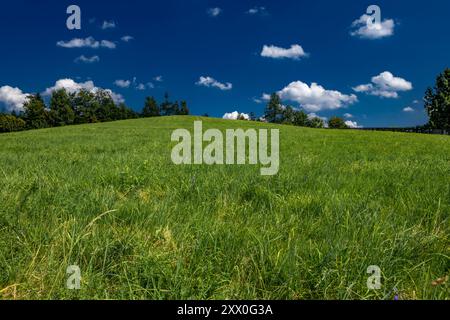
column 437, row 102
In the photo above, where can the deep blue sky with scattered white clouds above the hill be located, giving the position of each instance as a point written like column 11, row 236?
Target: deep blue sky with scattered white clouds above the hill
column 371, row 76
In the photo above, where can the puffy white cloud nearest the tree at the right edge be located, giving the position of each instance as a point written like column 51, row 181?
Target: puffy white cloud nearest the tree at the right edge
column 385, row 85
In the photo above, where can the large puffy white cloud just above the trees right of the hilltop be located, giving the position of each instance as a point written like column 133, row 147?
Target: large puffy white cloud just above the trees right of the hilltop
column 315, row 98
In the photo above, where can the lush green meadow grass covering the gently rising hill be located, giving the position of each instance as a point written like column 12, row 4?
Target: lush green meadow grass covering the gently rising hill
column 106, row 197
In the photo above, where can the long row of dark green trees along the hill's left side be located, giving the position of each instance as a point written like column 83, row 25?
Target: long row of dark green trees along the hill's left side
column 82, row 107
